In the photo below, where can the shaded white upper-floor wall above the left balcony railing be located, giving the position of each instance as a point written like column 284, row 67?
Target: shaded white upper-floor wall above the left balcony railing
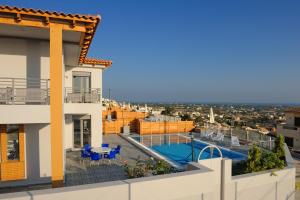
column 20, row 58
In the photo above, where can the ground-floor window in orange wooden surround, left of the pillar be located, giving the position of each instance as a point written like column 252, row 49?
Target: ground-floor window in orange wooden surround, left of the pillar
column 12, row 142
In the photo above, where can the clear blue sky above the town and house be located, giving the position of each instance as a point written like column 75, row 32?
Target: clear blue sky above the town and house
column 194, row 51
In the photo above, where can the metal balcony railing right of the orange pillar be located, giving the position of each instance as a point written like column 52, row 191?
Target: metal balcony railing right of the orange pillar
column 82, row 95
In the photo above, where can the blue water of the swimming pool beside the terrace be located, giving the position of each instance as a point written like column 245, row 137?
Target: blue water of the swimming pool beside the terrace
column 181, row 153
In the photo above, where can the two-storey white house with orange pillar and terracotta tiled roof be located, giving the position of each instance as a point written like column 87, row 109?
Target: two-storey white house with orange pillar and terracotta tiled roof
column 50, row 93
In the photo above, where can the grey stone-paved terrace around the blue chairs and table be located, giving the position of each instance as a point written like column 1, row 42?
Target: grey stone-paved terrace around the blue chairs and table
column 78, row 173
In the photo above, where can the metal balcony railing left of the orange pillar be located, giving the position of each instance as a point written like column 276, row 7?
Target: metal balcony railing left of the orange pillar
column 24, row 91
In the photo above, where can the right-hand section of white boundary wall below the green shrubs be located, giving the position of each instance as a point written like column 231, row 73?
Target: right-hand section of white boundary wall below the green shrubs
column 267, row 185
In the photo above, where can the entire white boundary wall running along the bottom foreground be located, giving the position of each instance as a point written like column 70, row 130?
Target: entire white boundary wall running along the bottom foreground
column 207, row 180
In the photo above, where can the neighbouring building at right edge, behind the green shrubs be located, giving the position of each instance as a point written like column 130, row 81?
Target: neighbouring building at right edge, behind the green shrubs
column 291, row 128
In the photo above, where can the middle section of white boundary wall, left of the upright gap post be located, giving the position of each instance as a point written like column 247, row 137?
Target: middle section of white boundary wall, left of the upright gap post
column 202, row 183
